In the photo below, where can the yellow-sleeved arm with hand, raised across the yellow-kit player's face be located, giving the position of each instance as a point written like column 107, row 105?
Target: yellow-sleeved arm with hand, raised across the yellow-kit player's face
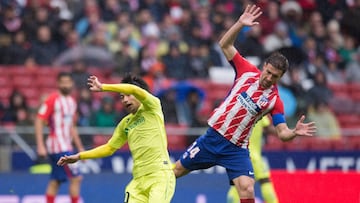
column 128, row 89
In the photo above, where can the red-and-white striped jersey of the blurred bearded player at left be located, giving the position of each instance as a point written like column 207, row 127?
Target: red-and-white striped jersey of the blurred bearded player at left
column 59, row 112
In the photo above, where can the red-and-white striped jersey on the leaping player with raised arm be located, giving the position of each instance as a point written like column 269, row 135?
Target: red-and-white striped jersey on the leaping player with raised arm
column 245, row 104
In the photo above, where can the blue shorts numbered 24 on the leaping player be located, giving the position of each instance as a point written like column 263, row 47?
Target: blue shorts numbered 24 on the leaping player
column 213, row 149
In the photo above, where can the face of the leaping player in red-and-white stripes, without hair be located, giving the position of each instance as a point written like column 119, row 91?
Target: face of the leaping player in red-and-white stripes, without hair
column 269, row 76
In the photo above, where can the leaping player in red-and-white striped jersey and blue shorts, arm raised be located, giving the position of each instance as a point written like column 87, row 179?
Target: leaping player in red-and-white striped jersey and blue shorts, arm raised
column 253, row 95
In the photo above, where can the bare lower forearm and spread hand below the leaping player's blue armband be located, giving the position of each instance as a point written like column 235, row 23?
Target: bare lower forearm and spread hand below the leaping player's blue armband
column 301, row 129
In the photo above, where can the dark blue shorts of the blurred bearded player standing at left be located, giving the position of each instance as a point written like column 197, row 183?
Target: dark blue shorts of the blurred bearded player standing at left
column 62, row 173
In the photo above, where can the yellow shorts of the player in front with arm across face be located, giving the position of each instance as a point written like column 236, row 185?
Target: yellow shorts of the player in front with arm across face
column 158, row 187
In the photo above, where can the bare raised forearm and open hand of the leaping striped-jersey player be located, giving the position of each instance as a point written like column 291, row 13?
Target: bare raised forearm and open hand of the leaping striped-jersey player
column 248, row 18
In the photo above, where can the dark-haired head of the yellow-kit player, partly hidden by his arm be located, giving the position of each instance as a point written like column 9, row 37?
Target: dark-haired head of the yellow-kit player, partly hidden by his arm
column 131, row 104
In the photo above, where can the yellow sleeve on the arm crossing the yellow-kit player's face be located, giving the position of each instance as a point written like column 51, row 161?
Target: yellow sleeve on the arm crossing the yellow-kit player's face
column 128, row 89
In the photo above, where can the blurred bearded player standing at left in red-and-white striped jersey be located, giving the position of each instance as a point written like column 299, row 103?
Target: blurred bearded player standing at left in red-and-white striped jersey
column 59, row 112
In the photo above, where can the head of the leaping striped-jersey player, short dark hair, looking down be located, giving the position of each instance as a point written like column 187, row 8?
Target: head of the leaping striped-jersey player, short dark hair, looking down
column 274, row 68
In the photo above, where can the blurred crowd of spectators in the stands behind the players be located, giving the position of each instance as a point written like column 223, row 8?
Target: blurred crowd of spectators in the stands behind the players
column 173, row 45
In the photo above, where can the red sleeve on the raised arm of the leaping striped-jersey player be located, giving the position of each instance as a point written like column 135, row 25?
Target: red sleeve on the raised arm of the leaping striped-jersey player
column 241, row 65
